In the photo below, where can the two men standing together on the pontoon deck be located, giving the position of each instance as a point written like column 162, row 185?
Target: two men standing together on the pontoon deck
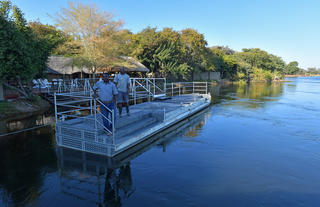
column 112, row 93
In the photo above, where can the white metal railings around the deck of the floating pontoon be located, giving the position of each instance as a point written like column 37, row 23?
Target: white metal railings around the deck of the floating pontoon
column 82, row 105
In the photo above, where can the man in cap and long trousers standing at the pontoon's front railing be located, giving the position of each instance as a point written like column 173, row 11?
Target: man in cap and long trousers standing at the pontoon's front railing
column 107, row 94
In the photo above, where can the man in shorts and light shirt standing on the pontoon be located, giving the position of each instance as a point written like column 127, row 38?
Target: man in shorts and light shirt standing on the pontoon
column 122, row 80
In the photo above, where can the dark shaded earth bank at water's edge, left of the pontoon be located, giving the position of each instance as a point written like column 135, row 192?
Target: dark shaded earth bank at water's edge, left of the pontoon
column 22, row 108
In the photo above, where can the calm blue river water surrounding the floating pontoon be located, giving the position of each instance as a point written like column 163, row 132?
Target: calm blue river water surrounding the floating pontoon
column 257, row 145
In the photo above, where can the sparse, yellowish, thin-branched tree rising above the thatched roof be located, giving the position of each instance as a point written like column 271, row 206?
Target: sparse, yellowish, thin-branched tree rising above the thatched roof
column 94, row 31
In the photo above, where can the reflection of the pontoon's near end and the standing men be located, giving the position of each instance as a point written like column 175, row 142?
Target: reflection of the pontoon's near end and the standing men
column 94, row 178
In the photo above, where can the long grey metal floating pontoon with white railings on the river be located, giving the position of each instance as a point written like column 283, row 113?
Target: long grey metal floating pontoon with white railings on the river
column 161, row 107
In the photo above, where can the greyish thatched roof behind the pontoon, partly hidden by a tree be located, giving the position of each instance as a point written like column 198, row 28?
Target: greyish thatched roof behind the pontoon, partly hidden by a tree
column 64, row 65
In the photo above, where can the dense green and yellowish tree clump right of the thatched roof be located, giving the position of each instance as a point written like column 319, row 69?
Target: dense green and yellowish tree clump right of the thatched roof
column 170, row 53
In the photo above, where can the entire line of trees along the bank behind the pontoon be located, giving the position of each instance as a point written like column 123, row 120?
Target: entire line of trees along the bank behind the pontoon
column 94, row 39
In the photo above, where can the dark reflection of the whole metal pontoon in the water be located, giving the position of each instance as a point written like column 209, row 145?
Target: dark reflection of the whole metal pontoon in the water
column 104, row 181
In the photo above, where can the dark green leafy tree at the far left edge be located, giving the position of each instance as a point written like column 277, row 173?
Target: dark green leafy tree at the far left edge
column 23, row 55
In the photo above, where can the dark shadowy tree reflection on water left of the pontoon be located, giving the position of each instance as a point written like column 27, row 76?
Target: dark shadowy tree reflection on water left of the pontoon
column 24, row 160
